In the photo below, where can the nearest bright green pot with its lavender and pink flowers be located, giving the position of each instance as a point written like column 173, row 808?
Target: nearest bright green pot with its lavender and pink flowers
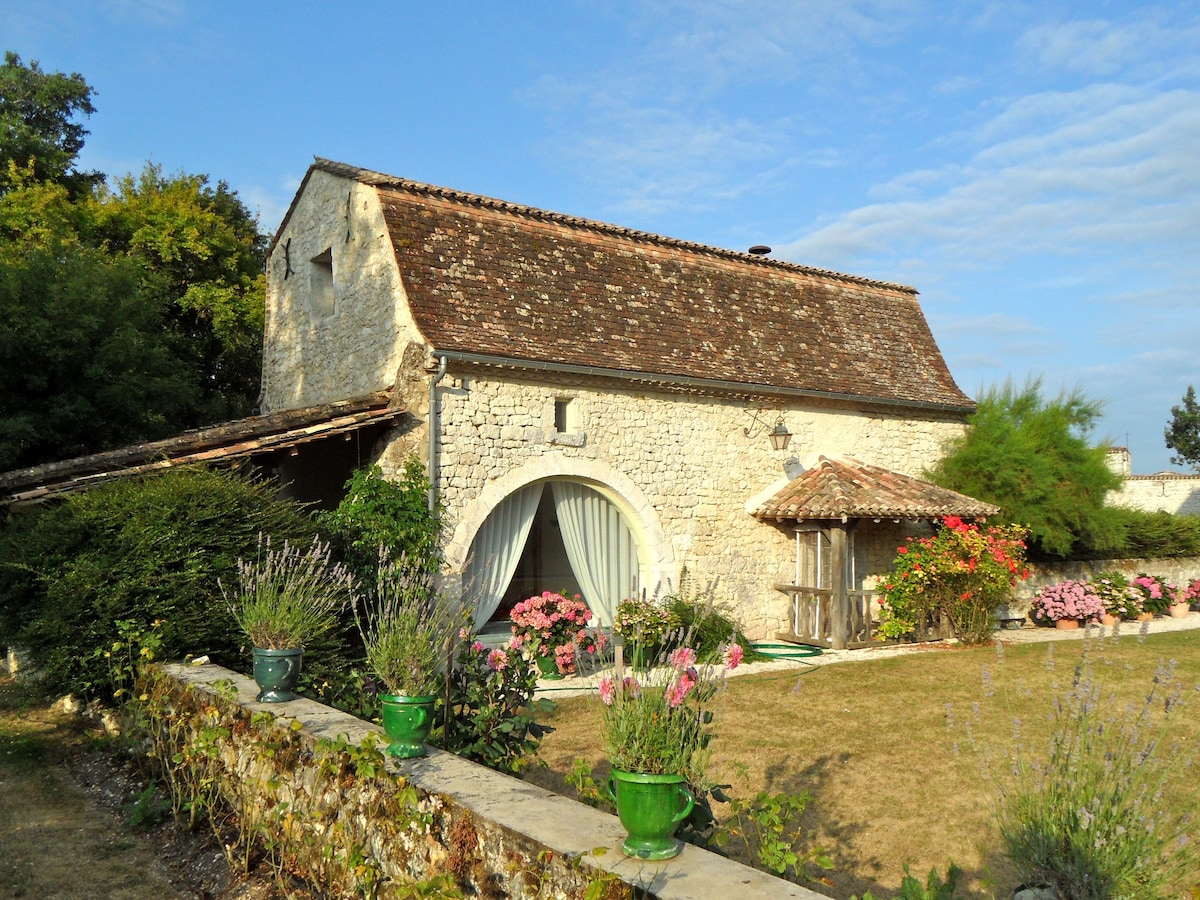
column 656, row 736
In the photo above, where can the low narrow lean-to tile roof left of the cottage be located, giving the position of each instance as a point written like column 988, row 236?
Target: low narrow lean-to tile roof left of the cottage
column 237, row 440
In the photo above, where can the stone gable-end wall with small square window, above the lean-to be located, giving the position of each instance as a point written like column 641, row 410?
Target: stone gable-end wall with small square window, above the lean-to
column 316, row 352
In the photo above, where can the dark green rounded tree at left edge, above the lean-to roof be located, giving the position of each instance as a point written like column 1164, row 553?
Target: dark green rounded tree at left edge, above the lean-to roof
column 86, row 362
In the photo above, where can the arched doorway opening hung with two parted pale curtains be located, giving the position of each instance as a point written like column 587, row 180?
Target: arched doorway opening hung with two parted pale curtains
column 556, row 535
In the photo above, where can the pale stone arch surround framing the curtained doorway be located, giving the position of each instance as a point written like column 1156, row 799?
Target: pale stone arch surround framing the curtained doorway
column 622, row 491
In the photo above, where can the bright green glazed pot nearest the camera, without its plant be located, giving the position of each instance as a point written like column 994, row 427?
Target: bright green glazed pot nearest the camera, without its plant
column 651, row 808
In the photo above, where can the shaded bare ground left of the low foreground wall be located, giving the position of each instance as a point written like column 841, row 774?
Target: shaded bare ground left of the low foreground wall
column 56, row 844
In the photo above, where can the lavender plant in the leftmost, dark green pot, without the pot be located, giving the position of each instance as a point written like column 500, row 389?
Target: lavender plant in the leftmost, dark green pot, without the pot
column 289, row 598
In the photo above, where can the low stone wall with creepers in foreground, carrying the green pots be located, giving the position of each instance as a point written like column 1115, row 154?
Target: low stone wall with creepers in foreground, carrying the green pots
column 496, row 836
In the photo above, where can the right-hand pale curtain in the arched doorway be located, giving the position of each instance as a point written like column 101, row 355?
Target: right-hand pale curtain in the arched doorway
column 599, row 547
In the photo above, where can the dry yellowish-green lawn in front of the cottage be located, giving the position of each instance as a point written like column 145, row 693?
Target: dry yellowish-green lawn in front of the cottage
column 883, row 747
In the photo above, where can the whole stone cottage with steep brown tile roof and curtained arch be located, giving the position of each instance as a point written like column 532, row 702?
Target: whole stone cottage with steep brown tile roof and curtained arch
column 601, row 409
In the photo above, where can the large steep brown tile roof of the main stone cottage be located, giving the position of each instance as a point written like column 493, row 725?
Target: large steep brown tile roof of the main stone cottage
column 497, row 279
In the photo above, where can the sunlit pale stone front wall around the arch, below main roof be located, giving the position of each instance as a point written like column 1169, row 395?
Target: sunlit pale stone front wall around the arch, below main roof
column 681, row 467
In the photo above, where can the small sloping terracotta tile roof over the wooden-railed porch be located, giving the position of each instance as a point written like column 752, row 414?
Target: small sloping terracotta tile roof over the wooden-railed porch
column 854, row 490
